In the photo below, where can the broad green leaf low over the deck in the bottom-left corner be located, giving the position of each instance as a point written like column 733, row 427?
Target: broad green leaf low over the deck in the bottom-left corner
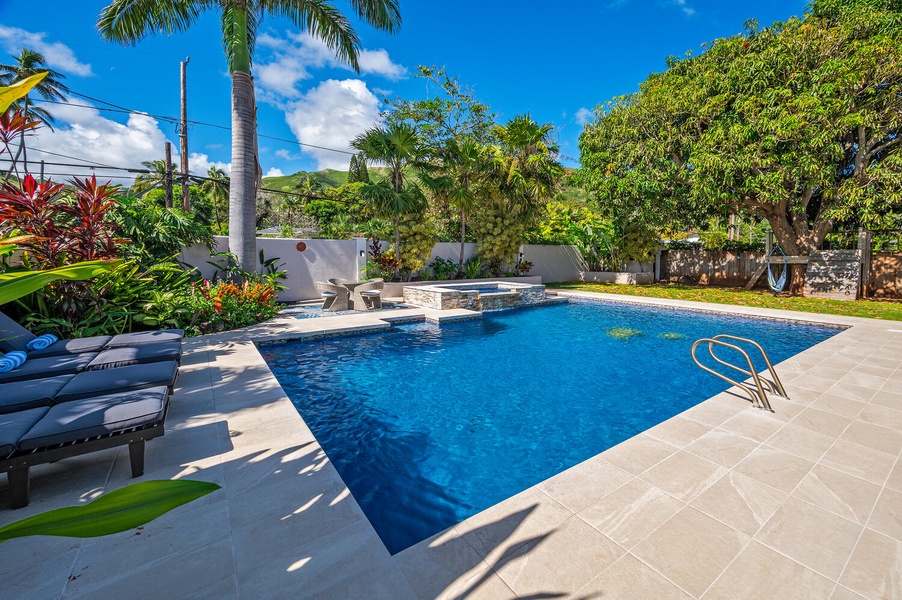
column 120, row 510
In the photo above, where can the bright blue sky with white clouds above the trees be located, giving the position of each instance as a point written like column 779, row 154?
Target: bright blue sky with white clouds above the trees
column 554, row 60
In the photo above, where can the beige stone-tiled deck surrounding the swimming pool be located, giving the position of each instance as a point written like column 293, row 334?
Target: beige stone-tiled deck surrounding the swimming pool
column 721, row 501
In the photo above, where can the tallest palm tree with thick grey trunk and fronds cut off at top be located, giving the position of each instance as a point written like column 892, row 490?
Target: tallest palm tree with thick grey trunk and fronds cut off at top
column 129, row 21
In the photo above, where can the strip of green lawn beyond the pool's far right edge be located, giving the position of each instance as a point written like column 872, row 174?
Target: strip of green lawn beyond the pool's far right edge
column 870, row 309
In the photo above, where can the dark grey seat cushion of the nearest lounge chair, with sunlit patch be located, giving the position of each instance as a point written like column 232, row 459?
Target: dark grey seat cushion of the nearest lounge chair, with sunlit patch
column 90, row 417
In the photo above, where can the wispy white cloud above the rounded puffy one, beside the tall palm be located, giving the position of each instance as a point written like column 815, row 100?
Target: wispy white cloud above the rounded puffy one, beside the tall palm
column 293, row 58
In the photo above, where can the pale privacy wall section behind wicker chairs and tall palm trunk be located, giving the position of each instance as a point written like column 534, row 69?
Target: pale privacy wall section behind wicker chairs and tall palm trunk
column 321, row 260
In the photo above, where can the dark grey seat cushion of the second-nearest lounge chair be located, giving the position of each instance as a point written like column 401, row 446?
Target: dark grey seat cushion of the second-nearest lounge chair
column 135, row 377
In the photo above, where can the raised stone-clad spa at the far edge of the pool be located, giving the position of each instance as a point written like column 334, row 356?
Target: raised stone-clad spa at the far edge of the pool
column 489, row 295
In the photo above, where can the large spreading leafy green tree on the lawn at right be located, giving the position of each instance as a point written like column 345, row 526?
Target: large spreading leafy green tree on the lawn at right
column 798, row 123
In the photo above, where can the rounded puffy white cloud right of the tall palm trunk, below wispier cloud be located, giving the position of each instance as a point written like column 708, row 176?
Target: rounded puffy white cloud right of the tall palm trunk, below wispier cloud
column 331, row 115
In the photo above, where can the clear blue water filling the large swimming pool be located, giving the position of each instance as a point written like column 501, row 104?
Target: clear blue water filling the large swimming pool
column 430, row 424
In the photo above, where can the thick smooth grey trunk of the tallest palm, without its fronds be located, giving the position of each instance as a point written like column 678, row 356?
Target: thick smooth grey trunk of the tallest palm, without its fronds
column 242, row 189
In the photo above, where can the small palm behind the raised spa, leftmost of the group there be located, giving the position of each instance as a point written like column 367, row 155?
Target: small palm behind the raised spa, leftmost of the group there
column 398, row 147
